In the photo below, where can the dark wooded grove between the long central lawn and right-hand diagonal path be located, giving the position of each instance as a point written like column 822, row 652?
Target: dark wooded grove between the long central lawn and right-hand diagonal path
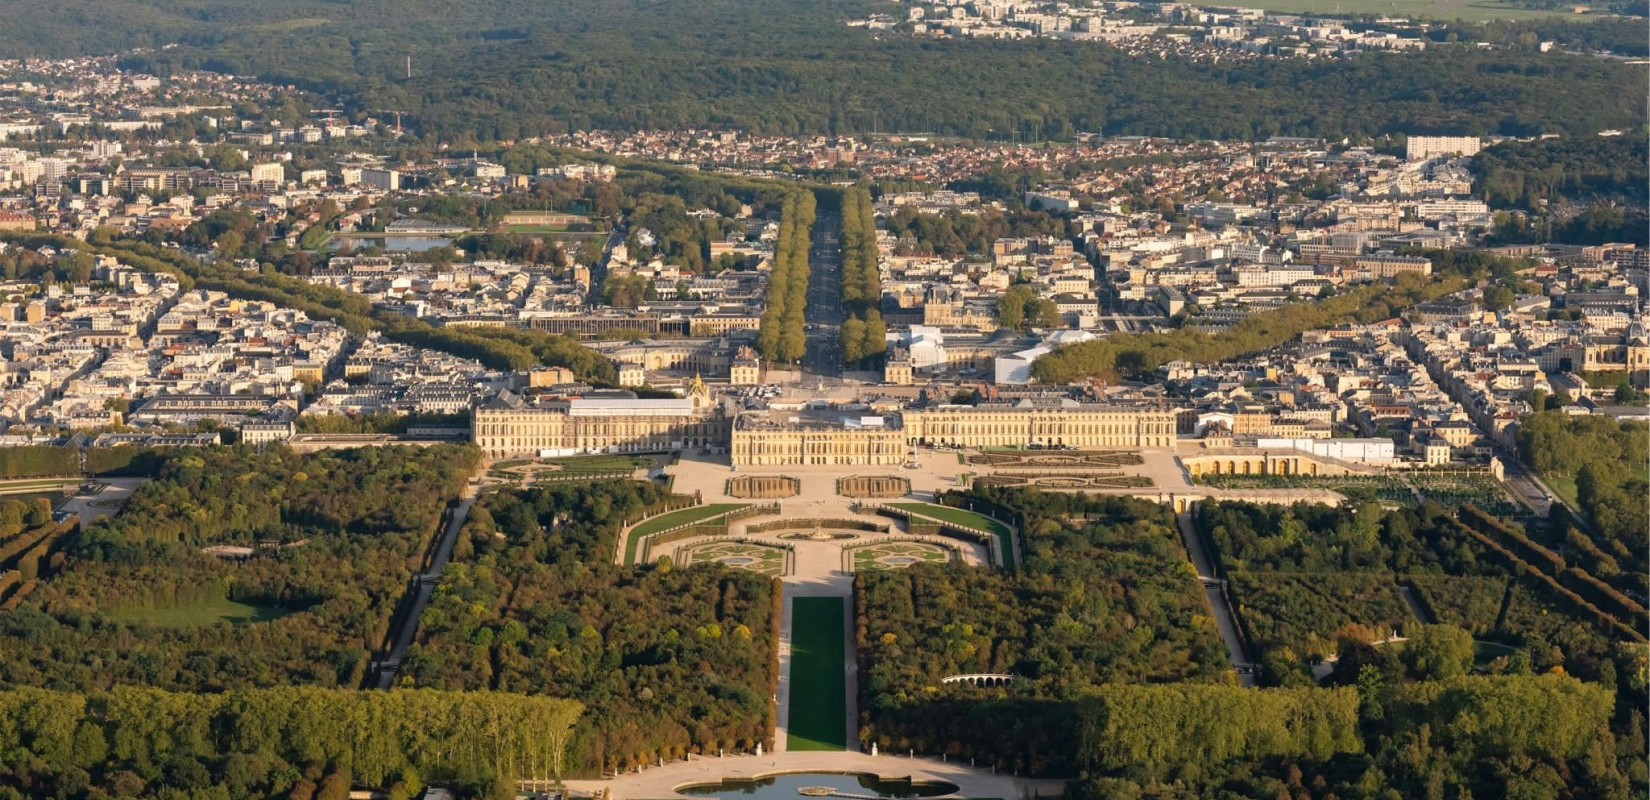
column 1105, row 600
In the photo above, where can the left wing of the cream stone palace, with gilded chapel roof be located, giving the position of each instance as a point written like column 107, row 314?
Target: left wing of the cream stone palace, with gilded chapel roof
column 615, row 421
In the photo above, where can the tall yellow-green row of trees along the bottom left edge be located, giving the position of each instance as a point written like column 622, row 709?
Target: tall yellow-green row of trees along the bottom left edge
column 275, row 743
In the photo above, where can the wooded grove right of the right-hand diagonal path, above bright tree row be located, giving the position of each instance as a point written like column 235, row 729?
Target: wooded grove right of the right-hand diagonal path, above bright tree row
column 1314, row 581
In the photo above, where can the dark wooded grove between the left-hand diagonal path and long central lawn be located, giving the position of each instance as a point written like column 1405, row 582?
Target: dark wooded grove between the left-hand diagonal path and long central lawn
column 666, row 661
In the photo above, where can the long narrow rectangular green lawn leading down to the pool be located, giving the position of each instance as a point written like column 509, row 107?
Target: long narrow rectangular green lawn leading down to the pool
column 819, row 704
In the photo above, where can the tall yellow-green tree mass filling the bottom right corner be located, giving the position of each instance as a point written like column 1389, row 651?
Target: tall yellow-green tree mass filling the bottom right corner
column 1549, row 736
